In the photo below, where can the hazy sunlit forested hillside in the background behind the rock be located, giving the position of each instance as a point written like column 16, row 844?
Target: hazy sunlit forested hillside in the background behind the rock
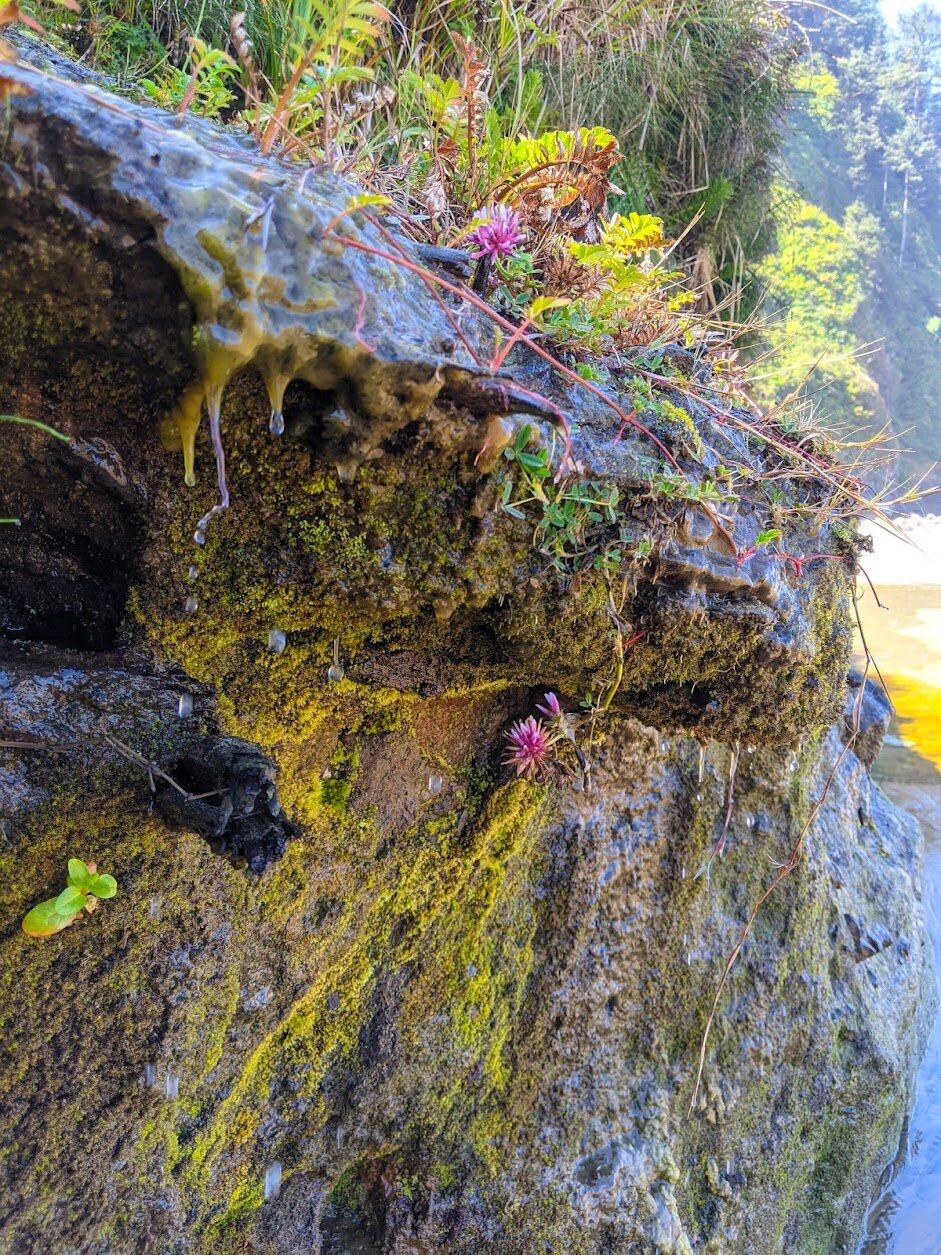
column 859, row 229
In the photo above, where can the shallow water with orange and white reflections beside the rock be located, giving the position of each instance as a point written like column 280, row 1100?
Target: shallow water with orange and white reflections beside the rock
column 906, row 643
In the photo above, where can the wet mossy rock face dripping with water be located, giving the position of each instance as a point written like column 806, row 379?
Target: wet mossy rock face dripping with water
column 361, row 991
